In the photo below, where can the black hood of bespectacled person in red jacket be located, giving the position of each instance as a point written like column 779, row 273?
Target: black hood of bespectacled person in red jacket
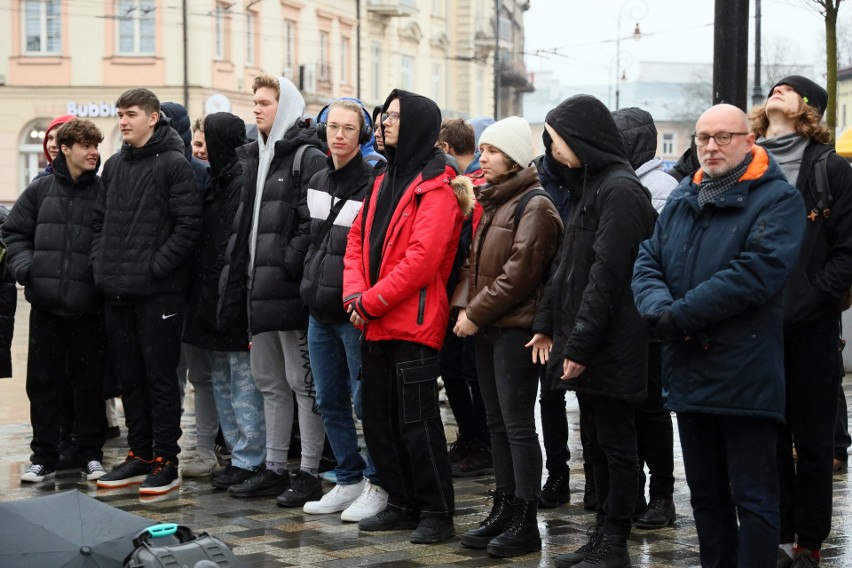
column 419, row 129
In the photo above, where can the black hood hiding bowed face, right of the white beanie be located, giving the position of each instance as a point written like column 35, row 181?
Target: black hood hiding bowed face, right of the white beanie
column 587, row 127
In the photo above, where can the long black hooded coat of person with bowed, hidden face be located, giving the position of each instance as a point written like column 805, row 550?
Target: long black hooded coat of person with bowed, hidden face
column 588, row 308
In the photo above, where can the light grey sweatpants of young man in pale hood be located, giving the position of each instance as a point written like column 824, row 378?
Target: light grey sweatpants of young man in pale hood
column 281, row 368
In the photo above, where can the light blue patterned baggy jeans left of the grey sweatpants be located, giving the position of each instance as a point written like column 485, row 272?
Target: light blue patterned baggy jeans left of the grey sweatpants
column 240, row 407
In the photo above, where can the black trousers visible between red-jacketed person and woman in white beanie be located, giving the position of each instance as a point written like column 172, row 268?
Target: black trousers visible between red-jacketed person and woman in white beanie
column 458, row 370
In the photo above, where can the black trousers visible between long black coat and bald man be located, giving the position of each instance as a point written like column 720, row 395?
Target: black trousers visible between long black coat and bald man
column 655, row 434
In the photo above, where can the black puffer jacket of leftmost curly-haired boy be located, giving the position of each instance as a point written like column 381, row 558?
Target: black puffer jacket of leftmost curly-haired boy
column 49, row 235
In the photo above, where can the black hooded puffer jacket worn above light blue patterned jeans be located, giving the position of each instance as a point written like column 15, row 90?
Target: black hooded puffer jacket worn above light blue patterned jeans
column 224, row 133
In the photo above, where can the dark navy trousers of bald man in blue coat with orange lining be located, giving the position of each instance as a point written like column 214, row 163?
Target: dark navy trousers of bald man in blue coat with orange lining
column 732, row 473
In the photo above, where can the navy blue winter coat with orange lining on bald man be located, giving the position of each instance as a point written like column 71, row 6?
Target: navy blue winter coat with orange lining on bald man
column 721, row 270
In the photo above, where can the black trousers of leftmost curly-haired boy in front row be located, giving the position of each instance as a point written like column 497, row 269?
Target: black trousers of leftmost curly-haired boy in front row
column 66, row 350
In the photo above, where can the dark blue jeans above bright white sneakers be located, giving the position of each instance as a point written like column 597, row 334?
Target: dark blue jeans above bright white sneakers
column 335, row 352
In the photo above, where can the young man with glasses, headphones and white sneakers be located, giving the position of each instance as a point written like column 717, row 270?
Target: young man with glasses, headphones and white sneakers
column 335, row 195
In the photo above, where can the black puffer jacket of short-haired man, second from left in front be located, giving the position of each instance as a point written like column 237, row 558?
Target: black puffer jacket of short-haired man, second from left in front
column 147, row 221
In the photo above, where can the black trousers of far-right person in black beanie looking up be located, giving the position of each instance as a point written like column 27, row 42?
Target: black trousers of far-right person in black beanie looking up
column 812, row 378
